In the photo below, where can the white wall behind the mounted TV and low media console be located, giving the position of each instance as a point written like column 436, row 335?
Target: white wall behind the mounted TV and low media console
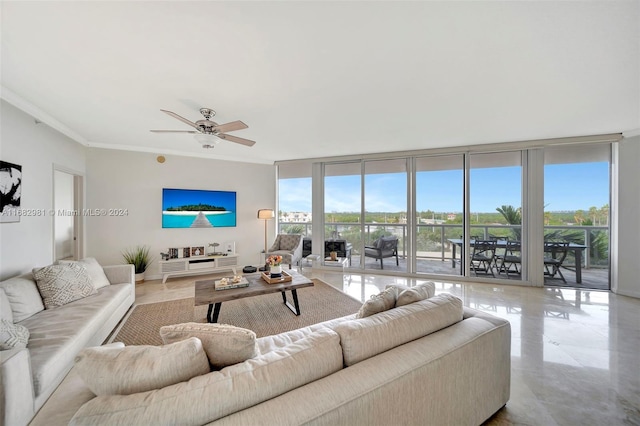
column 134, row 181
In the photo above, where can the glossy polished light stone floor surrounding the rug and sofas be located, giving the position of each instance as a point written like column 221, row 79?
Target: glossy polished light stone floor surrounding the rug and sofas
column 575, row 354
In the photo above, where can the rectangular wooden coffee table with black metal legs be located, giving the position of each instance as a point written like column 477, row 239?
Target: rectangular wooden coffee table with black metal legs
column 206, row 293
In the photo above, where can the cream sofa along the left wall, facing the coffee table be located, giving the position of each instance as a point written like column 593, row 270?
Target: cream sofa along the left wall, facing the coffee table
column 30, row 375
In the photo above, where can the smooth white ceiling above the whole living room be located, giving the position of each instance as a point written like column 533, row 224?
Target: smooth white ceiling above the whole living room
column 317, row 79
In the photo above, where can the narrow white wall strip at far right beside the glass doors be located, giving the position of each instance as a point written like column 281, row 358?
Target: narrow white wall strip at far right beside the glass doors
column 628, row 215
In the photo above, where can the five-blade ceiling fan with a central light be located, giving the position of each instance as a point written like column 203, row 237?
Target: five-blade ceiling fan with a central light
column 208, row 132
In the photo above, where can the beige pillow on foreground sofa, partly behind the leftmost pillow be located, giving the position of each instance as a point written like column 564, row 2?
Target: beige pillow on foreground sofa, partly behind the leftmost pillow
column 224, row 344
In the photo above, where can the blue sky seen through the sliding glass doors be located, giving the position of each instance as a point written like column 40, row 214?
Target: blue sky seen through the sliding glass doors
column 576, row 186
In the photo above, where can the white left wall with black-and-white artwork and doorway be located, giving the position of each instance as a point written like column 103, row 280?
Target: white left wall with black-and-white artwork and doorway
column 36, row 147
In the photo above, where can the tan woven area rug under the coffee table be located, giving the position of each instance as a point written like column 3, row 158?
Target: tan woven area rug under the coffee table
column 266, row 314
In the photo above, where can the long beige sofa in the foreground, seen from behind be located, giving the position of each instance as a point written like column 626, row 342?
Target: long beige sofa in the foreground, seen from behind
column 428, row 362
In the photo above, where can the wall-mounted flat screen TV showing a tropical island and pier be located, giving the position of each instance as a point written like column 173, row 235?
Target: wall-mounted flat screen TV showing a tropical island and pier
column 195, row 208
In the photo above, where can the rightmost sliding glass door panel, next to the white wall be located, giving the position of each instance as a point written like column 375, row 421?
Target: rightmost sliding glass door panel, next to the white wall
column 576, row 214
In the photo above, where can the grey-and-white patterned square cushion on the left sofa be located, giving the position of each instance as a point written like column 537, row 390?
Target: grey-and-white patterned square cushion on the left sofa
column 62, row 284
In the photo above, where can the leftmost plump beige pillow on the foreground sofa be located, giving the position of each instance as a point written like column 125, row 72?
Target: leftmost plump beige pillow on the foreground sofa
column 133, row 369
